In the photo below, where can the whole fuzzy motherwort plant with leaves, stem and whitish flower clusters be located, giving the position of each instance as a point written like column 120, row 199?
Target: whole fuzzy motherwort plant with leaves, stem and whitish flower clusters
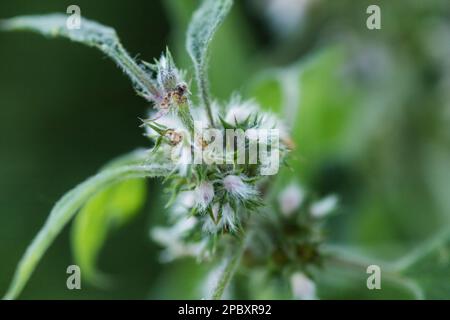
column 216, row 160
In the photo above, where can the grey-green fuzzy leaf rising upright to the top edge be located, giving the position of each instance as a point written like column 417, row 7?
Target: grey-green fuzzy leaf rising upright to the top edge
column 204, row 24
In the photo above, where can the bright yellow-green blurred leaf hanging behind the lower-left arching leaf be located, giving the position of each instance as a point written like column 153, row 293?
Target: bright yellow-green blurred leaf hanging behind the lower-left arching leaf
column 110, row 208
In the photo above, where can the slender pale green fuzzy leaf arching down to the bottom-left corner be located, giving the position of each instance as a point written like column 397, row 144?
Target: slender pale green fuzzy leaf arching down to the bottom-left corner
column 68, row 206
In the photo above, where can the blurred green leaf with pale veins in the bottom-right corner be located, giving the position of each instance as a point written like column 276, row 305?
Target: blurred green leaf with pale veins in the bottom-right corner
column 416, row 275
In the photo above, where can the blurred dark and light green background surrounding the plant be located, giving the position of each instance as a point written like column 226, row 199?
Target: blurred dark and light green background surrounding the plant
column 374, row 117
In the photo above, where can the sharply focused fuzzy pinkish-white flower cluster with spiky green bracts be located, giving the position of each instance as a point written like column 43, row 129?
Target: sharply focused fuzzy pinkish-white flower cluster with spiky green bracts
column 216, row 195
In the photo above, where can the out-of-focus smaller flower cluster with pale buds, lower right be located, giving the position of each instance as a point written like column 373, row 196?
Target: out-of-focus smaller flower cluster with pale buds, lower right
column 287, row 244
